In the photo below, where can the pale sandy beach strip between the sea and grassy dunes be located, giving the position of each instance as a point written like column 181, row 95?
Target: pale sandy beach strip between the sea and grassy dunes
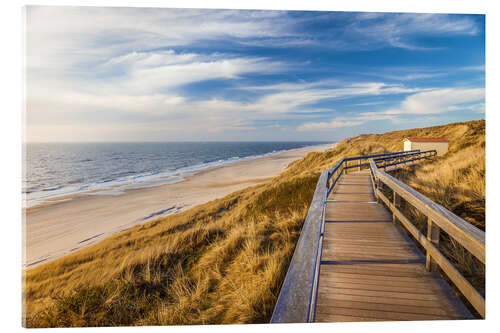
column 59, row 227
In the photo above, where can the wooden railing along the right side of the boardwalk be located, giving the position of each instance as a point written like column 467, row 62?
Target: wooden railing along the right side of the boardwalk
column 438, row 218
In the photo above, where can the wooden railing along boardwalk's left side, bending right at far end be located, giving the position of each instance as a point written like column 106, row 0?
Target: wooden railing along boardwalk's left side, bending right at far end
column 296, row 301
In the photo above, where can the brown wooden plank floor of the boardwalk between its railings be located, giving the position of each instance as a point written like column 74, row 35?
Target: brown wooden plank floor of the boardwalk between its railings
column 370, row 270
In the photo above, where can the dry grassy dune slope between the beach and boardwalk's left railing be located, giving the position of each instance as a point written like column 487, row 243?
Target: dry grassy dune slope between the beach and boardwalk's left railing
column 222, row 262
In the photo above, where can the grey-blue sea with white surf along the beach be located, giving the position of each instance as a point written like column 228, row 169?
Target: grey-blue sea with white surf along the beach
column 55, row 169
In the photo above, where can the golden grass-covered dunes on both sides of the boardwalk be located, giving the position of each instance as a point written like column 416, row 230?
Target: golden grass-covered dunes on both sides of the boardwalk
column 225, row 261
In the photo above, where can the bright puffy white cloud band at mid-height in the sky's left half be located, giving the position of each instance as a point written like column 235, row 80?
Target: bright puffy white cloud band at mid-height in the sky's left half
column 141, row 73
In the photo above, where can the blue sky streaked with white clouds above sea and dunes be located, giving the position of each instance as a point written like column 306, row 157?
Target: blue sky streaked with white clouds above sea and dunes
column 131, row 74
